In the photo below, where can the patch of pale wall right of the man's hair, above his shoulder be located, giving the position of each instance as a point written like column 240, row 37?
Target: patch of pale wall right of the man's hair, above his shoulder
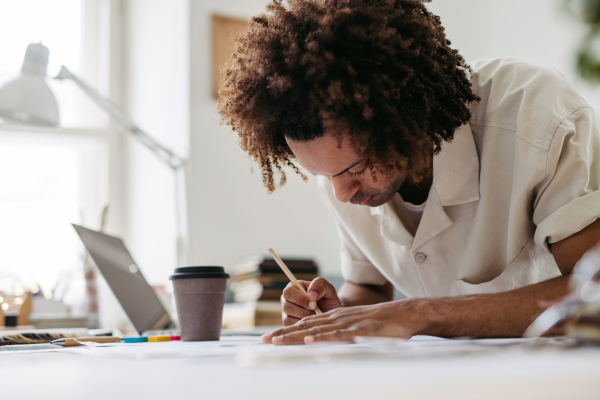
column 539, row 30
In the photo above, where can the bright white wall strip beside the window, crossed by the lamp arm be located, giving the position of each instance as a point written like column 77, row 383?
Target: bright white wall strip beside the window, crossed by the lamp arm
column 156, row 95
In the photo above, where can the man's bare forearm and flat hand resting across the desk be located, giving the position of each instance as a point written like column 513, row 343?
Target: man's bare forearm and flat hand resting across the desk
column 504, row 314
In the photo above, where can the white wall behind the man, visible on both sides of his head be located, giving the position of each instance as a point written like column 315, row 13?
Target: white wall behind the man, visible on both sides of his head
column 170, row 94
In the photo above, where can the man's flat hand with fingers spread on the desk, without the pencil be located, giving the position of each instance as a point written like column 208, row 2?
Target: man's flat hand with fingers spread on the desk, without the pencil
column 399, row 319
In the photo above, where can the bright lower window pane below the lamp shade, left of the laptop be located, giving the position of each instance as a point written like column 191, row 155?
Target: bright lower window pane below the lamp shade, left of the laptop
column 45, row 186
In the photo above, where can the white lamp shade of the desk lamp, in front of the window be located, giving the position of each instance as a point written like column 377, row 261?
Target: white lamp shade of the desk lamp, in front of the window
column 28, row 98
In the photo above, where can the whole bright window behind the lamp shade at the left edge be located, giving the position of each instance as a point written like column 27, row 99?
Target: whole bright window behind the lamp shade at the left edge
column 50, row 178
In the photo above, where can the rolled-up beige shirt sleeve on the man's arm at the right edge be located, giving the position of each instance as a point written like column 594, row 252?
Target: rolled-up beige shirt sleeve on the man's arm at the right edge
column 569, row 198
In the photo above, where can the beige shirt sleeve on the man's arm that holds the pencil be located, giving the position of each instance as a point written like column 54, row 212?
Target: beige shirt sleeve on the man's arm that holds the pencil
column 356, row 267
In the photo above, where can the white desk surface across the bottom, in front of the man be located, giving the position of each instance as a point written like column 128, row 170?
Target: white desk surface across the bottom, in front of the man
column 242, row 368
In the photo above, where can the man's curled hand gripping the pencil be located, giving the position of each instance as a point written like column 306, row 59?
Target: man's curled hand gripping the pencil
column 296, row 305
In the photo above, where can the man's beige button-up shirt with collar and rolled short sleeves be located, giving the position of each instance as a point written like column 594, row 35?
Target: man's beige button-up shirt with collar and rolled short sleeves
column 524, row 172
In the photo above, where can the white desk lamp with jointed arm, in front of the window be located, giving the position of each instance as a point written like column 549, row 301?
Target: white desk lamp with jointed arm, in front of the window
column 28, row 99
